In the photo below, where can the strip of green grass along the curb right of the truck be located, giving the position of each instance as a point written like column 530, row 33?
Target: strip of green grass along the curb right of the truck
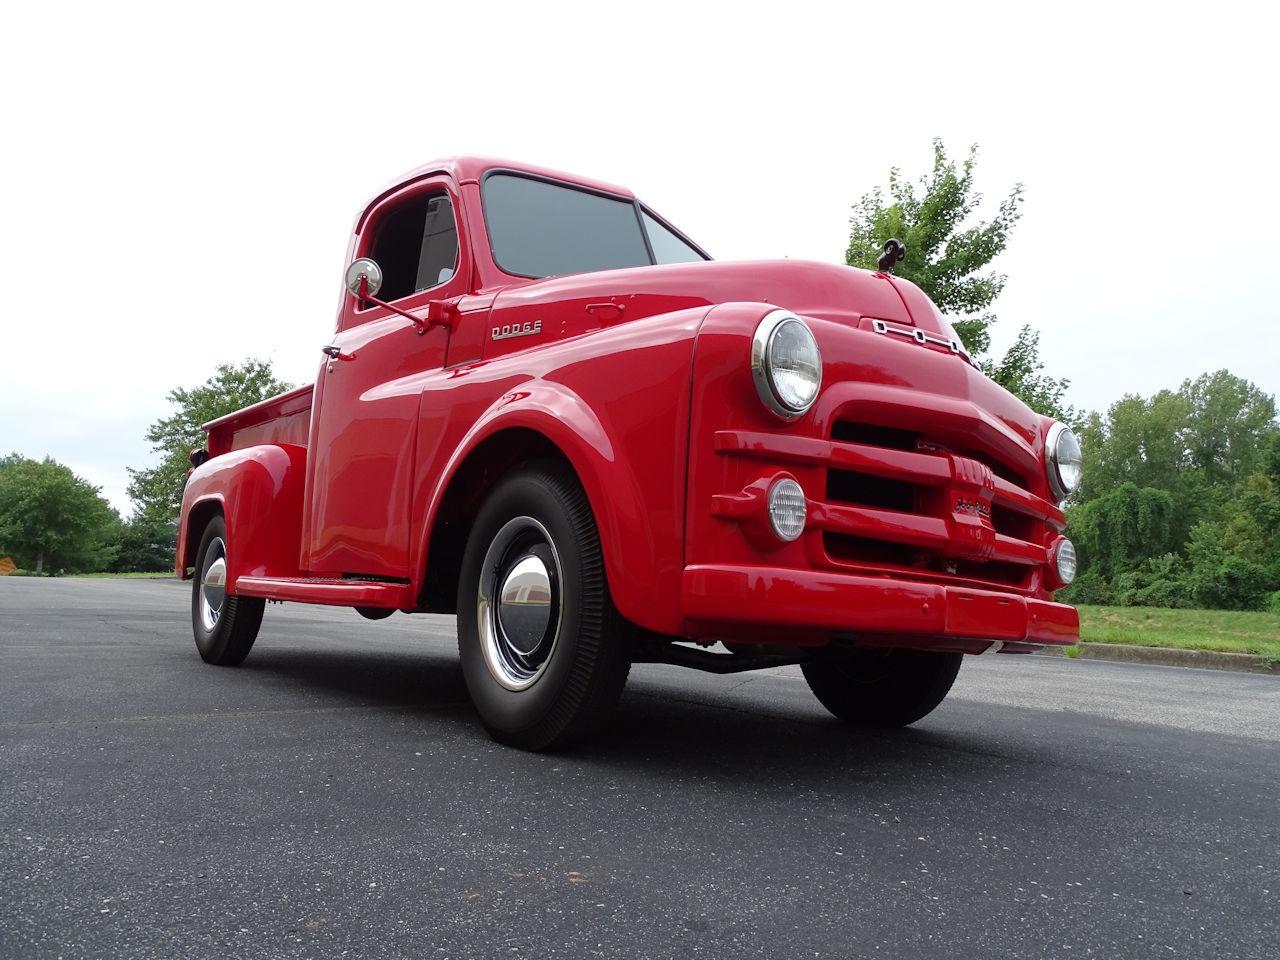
column 1232, row 632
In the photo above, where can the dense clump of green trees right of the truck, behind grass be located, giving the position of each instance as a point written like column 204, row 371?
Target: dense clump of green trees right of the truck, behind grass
column 1213, row 451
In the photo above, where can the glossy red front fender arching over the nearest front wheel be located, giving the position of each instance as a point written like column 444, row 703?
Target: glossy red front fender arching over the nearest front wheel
column 616, row 405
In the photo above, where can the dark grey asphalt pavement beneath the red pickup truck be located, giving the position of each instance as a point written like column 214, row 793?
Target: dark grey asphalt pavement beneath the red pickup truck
column 336, row 797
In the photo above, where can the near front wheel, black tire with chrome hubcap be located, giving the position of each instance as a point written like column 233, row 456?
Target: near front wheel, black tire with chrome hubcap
column 545, row 653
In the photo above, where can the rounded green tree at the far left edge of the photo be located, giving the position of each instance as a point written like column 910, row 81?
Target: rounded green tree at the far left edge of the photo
column 52, row 518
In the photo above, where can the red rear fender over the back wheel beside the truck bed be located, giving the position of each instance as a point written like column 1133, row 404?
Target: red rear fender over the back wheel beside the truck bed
column 259, row 491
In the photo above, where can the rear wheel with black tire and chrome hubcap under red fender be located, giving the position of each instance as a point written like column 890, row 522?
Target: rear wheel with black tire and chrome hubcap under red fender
column 225, row 627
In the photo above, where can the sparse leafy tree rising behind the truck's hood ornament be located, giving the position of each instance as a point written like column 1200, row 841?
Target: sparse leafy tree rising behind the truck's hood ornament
column 948, row 255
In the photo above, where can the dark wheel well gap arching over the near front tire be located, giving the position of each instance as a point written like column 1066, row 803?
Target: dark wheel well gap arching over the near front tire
column 496, row 458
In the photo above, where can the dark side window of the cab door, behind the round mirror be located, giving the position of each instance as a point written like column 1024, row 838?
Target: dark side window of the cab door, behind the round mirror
column 417, row 245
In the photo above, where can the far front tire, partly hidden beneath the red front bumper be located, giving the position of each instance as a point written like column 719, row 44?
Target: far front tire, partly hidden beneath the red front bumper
column 884, row 688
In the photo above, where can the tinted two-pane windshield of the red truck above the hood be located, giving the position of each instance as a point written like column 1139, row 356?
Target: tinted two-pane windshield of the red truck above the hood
column 547, row 230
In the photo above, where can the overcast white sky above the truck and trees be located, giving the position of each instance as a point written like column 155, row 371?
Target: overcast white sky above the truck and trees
column 179, row 181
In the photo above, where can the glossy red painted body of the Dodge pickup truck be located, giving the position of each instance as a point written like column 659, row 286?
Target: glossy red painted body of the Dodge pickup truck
column 930, row 518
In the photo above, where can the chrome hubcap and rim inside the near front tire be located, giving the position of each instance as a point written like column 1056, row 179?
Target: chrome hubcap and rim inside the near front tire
column 519, row 604
